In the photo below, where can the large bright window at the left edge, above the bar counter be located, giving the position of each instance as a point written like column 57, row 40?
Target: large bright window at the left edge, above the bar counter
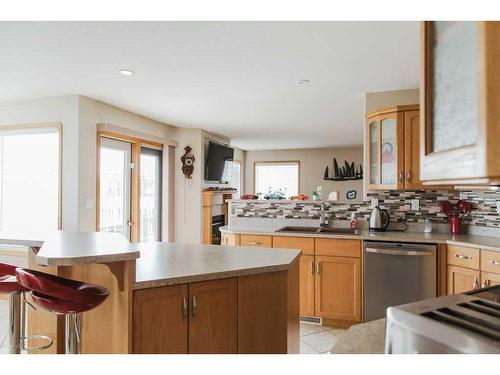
column 29, row 180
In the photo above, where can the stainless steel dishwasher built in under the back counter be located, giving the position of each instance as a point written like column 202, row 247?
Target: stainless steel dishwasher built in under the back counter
column 395, row 274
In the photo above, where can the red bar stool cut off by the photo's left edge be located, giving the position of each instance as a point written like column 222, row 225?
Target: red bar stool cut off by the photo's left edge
column 17, row 306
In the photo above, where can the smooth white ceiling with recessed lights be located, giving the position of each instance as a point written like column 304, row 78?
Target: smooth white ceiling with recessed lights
column 238, row 79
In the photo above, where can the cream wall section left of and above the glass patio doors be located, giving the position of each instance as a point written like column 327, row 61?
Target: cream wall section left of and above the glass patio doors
column 90, row 113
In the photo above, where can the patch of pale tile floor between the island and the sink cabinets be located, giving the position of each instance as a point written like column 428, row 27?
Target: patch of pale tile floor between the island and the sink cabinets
column 316, row 339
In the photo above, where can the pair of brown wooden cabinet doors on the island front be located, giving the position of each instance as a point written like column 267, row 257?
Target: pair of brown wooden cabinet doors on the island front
column 188, row 318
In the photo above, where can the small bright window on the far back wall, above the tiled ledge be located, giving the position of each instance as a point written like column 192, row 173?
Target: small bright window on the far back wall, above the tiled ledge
column 276, row 176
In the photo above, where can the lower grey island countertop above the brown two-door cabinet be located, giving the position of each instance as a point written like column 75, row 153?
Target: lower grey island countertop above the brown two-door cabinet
column 163, row 263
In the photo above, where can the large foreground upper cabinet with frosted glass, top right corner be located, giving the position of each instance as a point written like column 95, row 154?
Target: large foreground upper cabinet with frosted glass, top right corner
column 460, row 96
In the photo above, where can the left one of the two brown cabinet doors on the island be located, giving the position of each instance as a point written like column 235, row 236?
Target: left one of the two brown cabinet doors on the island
column 161, row 320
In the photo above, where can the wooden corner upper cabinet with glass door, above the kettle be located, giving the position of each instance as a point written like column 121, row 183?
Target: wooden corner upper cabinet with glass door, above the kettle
column 393, row 148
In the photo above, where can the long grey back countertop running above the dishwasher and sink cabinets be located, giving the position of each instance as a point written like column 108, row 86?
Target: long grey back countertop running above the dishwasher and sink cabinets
column 482, row 242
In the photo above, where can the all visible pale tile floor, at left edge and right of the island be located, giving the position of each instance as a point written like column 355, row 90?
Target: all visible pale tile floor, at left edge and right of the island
column 314, row 339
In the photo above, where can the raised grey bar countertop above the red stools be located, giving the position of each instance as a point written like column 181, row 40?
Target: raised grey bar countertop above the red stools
column 68, row 248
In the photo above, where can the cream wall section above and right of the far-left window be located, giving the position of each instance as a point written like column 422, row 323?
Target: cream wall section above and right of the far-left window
column 62, row 110
